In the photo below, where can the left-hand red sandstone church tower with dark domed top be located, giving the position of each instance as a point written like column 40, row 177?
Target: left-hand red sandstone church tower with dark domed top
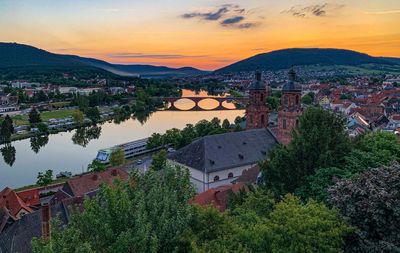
column 257, row 108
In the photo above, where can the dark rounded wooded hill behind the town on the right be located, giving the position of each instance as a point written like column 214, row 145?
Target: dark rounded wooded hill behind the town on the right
column 283, row 59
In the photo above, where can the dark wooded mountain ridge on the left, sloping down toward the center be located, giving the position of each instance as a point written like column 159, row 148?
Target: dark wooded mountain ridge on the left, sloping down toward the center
column 13, row 55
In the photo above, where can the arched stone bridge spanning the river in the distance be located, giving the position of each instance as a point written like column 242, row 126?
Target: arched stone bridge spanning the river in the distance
column 197, row 100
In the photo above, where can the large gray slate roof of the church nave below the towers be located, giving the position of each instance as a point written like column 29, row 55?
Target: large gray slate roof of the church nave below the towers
column 224, row 151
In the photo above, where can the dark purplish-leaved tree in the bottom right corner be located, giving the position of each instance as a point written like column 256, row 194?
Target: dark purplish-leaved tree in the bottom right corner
column 371, row 200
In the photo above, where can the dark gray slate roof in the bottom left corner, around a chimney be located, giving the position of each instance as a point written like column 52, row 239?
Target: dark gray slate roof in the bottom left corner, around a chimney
column 17, row 237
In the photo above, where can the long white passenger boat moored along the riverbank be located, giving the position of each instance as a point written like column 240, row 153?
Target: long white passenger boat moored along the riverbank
column 131, row 149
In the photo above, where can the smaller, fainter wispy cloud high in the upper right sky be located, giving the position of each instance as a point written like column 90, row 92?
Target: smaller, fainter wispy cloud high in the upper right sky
column 317, row 10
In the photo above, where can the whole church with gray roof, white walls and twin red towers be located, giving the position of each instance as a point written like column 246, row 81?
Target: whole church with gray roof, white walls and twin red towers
column 219, row 159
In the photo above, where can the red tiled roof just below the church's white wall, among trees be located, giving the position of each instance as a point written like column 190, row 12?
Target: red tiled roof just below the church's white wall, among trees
column 218, row 196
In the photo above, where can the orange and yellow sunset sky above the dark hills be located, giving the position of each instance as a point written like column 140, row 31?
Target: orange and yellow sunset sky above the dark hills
column 199, row 33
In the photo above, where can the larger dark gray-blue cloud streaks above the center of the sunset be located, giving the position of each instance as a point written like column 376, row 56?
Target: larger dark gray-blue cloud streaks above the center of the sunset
column 231, row 16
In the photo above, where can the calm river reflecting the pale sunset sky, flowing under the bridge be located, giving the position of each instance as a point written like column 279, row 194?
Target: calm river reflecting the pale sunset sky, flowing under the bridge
column 61, row 153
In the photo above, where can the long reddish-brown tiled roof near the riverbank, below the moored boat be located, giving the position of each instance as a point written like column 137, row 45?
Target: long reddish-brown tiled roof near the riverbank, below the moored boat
column 91, row 182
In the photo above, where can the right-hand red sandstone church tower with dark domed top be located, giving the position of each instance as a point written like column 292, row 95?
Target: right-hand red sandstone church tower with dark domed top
column 290, row 109
